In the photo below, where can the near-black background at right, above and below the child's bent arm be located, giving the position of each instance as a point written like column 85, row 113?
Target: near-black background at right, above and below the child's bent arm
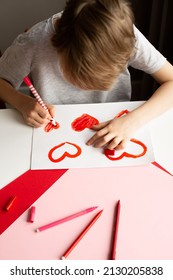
column 154, row 18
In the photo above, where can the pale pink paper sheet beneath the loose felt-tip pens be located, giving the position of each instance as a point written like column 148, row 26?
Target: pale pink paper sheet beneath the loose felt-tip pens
column 145, row 227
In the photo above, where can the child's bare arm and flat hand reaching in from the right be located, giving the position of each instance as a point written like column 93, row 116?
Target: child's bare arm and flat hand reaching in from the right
column 117, row 132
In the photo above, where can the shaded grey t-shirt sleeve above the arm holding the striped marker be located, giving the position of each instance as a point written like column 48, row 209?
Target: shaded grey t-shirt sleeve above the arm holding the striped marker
column 16, row 61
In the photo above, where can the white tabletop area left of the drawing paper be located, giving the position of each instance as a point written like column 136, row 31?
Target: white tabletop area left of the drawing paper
column 15, row 147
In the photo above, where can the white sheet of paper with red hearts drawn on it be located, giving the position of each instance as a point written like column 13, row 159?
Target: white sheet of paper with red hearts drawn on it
column 65, row 147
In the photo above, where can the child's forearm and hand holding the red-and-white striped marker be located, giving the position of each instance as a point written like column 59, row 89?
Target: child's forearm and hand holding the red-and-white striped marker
column 33, row 114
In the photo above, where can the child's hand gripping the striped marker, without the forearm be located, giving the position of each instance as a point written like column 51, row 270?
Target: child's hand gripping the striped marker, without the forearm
column 33, row 113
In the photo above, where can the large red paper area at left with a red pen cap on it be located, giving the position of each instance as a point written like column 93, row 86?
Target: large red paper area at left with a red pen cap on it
column 27, row 188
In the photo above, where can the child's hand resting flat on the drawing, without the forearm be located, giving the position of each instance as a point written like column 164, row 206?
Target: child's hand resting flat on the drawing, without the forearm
column 114, row 134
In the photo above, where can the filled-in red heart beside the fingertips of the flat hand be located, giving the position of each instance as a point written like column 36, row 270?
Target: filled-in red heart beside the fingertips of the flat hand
column 84, row 121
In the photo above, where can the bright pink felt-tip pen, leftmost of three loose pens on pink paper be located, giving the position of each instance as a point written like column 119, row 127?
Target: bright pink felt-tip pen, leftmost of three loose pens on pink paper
column 66, row 219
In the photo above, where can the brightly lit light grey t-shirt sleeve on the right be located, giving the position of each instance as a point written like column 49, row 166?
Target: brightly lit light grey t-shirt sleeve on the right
column 146, row 57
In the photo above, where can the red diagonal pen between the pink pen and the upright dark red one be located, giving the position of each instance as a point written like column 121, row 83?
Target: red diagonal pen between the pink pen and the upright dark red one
column 81, row 235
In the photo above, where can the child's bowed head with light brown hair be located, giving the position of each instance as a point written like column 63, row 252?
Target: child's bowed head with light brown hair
column 94, row 40
